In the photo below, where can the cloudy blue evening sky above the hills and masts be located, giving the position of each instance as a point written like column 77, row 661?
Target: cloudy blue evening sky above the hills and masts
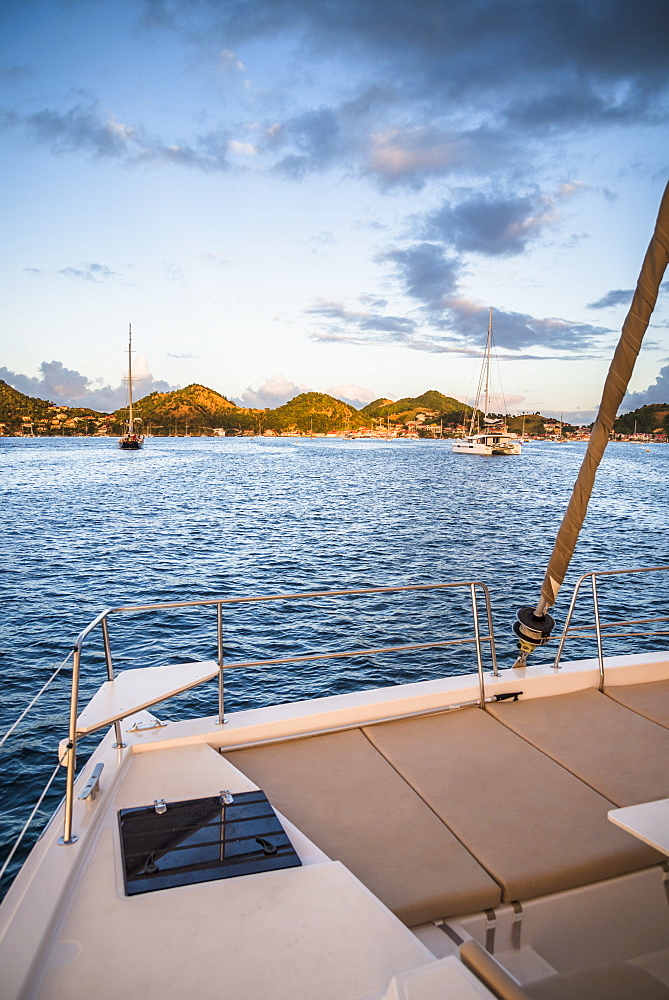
column 329, row 195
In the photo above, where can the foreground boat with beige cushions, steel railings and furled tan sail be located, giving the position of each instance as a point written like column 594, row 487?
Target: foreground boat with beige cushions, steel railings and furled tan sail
column 502, row 833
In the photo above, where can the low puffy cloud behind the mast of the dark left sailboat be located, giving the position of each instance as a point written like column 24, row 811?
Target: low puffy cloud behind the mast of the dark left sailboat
column 68, row 387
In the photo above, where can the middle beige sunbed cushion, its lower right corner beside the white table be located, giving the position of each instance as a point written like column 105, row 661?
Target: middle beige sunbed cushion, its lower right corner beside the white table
column 532, row 825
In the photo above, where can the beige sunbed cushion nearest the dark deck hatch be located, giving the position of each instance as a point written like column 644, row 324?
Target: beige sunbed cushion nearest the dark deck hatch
column 346, row 798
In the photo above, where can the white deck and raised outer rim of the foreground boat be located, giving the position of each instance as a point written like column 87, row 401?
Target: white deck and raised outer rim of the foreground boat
column 300, row 933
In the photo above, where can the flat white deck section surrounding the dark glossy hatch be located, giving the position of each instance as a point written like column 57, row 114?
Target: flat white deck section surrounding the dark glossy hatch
column 313, row 931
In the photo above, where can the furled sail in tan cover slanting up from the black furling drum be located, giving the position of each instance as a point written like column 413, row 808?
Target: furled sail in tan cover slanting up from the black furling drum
column 617, row 380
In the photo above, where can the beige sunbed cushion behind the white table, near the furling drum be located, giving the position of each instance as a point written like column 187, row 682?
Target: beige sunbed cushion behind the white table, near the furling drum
column 617, row 752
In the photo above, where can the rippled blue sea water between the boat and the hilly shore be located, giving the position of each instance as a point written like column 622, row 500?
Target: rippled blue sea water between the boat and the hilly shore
column 88, row 526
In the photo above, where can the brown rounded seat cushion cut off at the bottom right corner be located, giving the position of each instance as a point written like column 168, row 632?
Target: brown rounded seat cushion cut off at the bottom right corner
column 616, row 982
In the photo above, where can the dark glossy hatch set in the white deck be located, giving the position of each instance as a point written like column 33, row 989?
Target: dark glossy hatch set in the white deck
column 200, row 840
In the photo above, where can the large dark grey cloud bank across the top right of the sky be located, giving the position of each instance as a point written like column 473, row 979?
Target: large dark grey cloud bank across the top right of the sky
column 579, row 61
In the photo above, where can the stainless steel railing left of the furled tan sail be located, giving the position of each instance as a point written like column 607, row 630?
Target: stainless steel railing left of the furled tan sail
column 478, row 639
